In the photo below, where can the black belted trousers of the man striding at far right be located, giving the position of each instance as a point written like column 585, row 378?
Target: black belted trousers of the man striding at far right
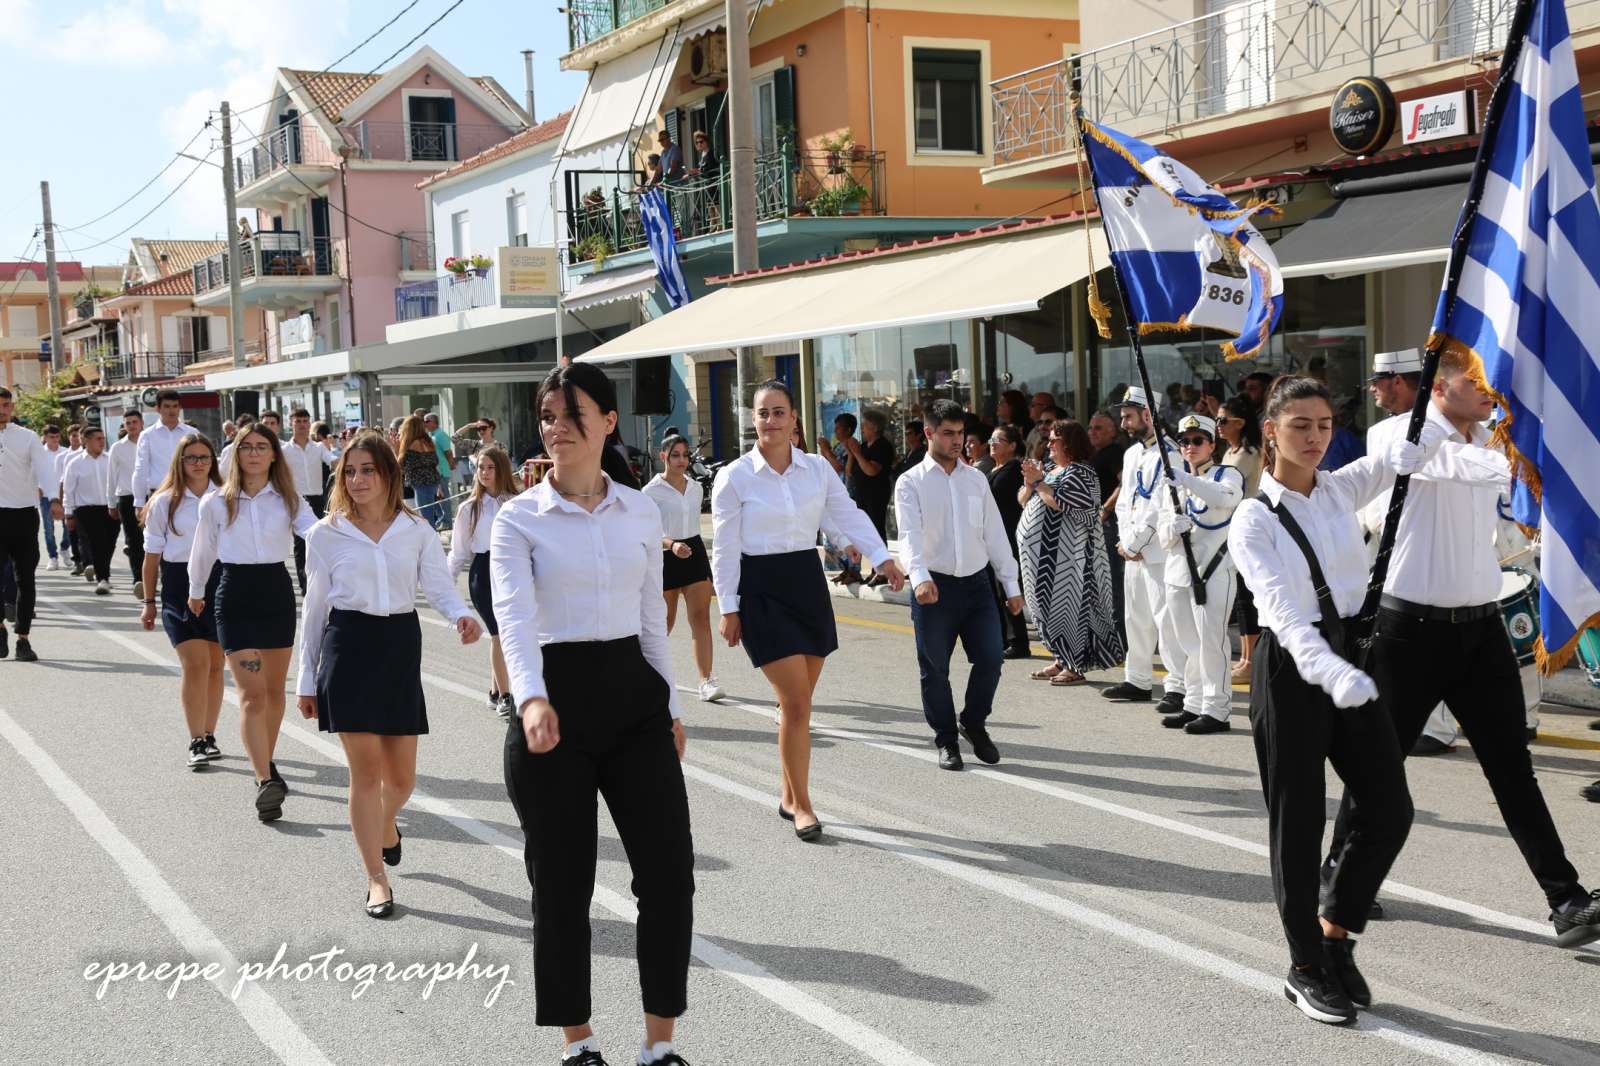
column 1473, row 670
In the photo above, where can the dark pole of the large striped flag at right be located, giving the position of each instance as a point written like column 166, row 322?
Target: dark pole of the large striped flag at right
column 1458, row 257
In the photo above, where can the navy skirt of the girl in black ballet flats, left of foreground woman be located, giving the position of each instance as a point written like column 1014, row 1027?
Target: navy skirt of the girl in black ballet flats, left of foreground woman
column 370, row 675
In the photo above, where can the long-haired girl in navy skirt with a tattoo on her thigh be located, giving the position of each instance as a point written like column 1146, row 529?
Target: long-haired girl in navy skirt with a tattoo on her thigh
column 249, row 526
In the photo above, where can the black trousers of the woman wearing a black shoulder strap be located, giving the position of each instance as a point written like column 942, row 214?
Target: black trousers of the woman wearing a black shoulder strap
column 1297, row 729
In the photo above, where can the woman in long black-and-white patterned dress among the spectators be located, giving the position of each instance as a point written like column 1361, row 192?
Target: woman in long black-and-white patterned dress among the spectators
column 1066, row 579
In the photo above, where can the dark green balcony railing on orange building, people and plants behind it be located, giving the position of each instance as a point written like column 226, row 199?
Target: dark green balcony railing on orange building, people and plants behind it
column 602, row 206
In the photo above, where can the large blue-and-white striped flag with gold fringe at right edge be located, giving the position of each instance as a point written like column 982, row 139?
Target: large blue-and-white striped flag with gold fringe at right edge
column 1529, row 310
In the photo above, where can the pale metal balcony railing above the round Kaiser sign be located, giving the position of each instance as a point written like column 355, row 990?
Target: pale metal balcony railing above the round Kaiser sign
column 1246, row 55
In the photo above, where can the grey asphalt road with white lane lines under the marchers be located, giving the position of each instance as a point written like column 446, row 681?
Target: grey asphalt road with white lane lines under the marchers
column 1100, row 897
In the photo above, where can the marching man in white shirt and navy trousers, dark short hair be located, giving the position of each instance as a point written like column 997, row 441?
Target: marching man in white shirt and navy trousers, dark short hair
column 951, row 535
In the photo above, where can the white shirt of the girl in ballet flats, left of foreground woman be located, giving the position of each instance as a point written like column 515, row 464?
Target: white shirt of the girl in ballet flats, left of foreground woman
column 351, row 572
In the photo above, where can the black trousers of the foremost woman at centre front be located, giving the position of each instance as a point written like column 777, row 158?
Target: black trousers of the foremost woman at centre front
column 617, row 742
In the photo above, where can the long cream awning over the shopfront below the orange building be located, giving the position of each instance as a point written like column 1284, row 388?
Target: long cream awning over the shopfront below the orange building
column 962, row 279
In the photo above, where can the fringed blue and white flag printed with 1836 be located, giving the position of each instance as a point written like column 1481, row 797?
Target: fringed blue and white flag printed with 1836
column 1188, row 257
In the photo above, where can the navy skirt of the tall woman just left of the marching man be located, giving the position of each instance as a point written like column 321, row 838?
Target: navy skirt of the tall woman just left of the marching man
column 785, row 607
